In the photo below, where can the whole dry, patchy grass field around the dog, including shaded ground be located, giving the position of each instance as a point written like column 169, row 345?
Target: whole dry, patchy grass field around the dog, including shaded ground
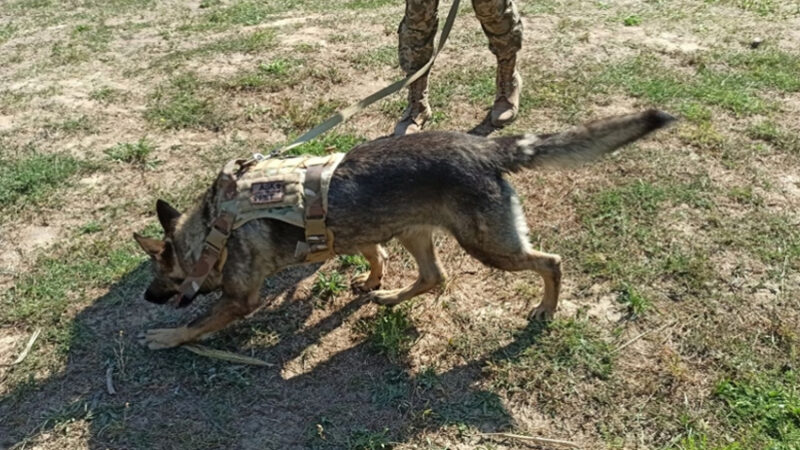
column 679, row 326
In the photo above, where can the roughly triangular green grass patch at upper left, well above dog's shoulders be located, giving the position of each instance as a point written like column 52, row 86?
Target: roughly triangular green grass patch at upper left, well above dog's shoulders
column 182, row 104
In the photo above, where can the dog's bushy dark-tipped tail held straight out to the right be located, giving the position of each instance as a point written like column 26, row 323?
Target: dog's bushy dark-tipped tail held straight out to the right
column 579, row 145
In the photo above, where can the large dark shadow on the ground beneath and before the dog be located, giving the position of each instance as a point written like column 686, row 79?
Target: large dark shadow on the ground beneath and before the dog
column 175, row 399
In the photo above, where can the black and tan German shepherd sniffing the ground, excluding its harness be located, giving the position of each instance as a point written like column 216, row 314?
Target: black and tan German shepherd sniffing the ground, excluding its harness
column 396, row 187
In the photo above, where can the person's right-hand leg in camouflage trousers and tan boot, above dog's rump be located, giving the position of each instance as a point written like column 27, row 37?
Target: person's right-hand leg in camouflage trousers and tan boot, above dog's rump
column 502, row 25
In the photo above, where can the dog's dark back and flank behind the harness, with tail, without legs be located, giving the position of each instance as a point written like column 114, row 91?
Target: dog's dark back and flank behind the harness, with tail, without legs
column 455, row 180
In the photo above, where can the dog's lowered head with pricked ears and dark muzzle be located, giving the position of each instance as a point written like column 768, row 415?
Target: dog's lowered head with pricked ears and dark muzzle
column 172, row 257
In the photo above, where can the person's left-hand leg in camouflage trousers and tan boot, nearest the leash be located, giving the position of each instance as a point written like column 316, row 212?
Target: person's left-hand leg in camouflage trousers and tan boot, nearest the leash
column 415, row 36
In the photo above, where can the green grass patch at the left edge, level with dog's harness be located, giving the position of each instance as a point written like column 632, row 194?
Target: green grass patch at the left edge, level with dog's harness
column 32, row 178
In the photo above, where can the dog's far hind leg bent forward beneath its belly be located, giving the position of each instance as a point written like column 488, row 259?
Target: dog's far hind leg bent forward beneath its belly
column 419, row 242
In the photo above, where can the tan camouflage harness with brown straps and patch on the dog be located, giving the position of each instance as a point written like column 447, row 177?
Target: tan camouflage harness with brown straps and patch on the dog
column 292, row 190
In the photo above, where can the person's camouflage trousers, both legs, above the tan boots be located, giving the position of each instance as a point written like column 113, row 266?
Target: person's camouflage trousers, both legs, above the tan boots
column 499, row 19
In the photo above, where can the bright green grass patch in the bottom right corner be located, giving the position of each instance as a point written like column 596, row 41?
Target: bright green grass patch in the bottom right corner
column 763, row 408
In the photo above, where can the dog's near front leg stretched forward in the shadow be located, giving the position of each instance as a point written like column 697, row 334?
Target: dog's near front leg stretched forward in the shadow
column 228, row 309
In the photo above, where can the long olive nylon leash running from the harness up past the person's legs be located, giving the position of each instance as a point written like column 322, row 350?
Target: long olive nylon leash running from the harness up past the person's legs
column 353, row 109
